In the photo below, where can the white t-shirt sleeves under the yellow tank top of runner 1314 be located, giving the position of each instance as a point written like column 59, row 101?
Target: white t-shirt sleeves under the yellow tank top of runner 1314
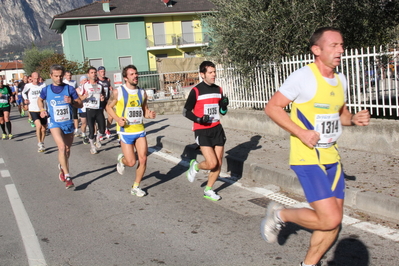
column 301, row 85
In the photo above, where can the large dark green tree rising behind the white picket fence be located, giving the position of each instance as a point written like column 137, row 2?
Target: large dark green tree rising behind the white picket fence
column 249, row 31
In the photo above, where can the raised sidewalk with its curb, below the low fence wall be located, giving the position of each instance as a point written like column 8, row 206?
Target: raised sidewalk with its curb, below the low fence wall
column 260, row 160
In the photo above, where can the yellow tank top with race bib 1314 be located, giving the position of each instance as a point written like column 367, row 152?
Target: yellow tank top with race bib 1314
column 321, row 114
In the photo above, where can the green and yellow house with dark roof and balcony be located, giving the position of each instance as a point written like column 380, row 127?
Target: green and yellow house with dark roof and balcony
column 120, row 32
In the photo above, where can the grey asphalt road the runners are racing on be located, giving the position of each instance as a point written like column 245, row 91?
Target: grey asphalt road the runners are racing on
column 100, row 223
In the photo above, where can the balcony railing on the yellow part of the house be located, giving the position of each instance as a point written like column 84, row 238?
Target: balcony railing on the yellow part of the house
column 185, row 39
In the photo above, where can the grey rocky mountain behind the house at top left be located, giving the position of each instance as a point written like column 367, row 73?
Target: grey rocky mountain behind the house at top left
column 23, row 22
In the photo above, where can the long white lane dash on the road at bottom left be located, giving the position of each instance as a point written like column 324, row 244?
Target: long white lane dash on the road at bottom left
column 29, row 238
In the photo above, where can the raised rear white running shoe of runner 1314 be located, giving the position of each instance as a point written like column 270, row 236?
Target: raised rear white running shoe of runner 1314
column 271, row 224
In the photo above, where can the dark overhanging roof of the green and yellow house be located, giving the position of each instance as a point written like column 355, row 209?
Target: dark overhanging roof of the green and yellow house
column 132, row 8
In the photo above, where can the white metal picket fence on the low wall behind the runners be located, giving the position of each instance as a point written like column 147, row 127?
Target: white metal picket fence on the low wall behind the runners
column 372, row 81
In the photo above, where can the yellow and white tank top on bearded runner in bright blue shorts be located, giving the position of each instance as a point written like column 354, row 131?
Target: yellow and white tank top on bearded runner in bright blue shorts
column 130, row 106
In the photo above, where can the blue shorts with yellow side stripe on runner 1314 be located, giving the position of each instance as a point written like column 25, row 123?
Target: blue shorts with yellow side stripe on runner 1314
column 321, row 181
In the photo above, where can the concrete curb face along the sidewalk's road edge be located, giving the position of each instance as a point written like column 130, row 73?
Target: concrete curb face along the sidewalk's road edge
column 258, row 175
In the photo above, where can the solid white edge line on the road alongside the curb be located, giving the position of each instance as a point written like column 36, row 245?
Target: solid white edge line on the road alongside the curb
column 383, row 231
